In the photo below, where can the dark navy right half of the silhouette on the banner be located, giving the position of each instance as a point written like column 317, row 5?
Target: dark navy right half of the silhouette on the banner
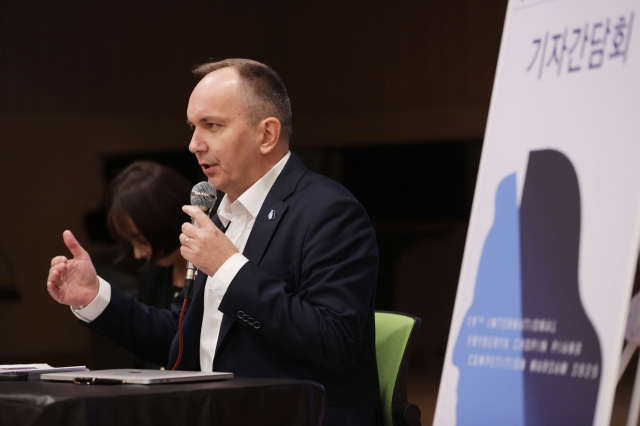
column 561, row 383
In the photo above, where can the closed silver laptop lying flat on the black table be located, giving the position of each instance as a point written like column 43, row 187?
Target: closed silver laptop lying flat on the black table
column 134, row 376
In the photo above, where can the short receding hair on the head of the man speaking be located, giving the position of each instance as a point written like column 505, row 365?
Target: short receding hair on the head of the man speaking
column 265, row 94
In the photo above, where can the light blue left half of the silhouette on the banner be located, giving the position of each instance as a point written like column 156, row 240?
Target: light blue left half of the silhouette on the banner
column 485, row 355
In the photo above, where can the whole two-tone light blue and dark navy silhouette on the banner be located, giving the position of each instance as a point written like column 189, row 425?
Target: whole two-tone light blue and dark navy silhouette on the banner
column 527, row 352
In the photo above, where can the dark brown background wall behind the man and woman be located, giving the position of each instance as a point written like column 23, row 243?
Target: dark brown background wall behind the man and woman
column 389, row 98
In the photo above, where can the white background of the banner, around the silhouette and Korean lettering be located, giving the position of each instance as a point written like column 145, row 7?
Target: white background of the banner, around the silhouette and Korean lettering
column 593, row 117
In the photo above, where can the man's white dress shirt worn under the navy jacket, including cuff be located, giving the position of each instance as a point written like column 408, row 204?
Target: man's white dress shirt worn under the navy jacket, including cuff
column 239, row 216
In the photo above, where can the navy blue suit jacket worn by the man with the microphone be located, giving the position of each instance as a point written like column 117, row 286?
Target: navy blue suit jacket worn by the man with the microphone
column 302, row 307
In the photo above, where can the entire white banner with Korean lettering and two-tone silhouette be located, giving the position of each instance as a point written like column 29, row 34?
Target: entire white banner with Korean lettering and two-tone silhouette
column 550, row 257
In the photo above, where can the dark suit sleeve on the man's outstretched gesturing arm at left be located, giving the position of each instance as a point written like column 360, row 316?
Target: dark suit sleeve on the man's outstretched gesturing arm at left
column 146, row 331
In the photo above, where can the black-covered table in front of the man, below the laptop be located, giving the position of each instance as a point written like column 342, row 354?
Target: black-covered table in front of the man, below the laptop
column 276, row 402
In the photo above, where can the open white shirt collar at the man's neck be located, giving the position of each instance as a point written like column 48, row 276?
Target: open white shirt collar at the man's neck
column 253, row 198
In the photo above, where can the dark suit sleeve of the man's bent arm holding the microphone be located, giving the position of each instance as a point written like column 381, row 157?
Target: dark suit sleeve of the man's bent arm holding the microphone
column 321, row 319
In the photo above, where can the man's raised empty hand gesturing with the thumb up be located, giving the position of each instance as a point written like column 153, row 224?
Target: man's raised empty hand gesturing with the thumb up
column 74, row 281
